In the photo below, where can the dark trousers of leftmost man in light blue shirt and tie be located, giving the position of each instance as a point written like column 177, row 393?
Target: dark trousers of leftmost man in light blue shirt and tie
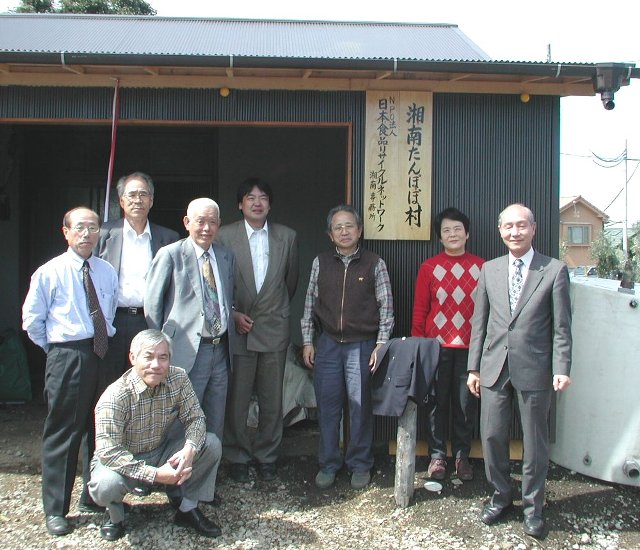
column 73, row 383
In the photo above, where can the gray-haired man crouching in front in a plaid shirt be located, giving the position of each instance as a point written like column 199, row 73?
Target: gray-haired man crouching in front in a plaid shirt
column 134, row 444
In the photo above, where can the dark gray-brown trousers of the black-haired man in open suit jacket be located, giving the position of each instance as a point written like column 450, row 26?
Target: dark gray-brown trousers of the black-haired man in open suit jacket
column 264, row 373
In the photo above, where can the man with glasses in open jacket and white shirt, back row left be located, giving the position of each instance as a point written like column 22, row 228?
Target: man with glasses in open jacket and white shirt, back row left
column 129, row 244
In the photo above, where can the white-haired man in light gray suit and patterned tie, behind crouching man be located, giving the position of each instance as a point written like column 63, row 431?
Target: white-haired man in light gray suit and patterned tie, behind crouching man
column 189, row 296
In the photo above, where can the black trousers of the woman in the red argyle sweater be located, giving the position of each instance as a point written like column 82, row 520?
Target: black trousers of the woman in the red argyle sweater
column 452, row 391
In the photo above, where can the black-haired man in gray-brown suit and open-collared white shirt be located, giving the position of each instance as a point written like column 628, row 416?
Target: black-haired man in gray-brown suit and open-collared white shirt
column 266, row 277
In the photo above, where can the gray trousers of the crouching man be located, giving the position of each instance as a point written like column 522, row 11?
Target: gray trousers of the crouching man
column 108, row 488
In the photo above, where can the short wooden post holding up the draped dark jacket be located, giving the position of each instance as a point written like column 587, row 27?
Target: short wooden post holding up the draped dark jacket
column 406, row 455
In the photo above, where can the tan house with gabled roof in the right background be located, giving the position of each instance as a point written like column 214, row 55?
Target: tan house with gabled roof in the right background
column 581, row 223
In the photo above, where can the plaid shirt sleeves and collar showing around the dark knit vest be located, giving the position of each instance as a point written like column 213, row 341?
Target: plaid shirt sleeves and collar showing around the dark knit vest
column 384, row 299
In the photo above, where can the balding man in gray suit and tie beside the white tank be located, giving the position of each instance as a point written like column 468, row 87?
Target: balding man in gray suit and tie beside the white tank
column 520, row 349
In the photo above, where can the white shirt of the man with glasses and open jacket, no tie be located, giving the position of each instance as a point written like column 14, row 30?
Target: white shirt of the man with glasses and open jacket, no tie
column 134, row 265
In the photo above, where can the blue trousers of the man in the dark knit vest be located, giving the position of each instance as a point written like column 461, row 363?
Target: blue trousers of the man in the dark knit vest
column 339, row 370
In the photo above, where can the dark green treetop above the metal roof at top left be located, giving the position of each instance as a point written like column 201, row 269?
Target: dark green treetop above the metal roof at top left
column 122, row 7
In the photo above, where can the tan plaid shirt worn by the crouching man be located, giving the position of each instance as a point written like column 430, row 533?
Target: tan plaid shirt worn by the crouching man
column 132, row 418
